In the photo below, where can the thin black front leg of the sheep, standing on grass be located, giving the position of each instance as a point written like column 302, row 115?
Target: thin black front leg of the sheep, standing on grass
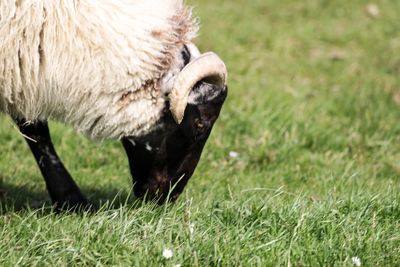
column 62, row 189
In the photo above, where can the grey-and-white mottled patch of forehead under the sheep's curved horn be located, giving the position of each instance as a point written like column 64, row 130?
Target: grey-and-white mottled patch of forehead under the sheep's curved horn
column 204, row 93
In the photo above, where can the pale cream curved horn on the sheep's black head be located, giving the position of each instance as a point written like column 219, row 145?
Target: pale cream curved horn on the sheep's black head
column 207, row 66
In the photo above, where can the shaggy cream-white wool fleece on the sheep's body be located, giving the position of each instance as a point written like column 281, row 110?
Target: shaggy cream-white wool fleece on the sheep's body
column 96, row 65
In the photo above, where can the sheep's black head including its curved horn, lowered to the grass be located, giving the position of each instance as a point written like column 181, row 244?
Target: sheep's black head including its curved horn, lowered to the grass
column 162, row 161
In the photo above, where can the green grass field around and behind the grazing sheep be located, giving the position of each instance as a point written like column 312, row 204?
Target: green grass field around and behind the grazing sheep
column 314, row 115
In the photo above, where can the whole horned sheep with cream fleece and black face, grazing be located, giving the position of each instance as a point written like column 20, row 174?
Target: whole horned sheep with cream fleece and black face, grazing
column 113, row 69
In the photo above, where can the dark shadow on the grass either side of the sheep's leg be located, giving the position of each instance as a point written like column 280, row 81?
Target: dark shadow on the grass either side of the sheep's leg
column 15, row 198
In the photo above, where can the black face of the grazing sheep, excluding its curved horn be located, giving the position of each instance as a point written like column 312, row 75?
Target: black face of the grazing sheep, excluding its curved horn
column 162, row 162
